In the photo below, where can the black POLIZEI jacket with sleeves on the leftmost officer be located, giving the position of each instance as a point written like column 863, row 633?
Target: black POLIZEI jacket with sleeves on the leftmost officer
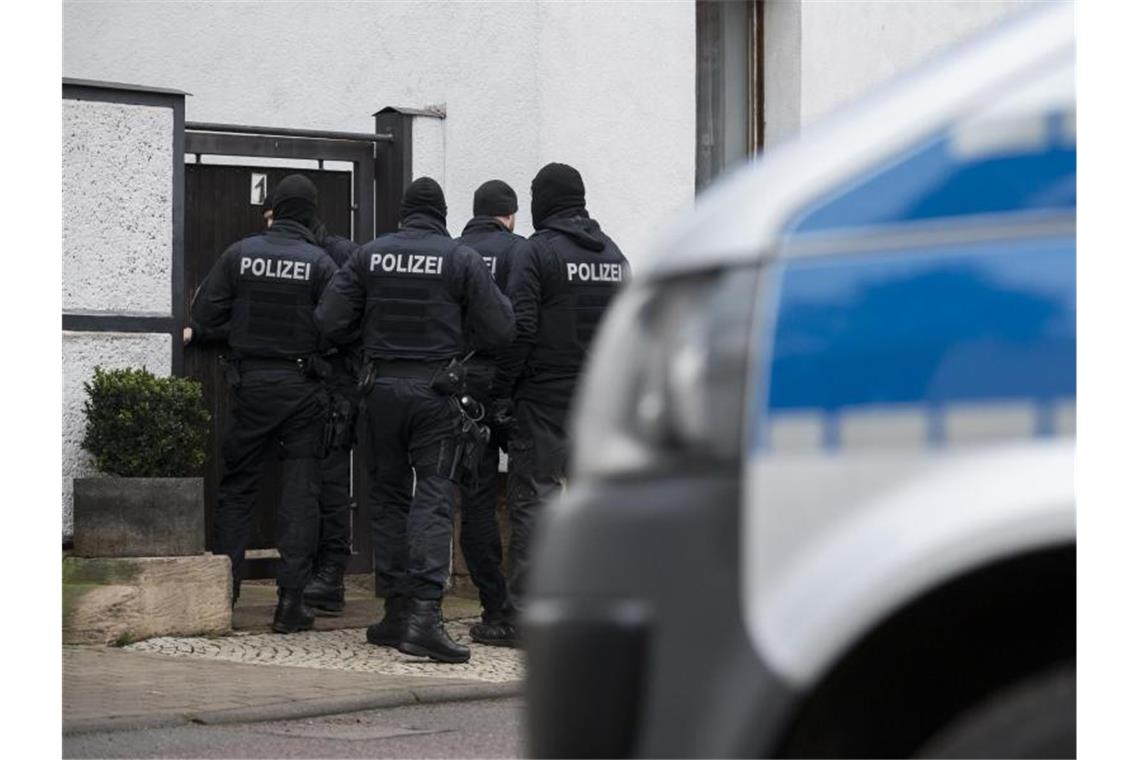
column 267, row 287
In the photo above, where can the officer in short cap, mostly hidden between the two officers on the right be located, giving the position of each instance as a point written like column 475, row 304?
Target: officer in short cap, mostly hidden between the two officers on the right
column 492, row 234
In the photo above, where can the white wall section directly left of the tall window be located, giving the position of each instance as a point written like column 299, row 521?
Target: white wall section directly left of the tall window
column 617, row 99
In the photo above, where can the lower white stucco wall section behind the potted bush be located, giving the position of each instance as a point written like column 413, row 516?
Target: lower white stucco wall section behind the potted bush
column 83, row 353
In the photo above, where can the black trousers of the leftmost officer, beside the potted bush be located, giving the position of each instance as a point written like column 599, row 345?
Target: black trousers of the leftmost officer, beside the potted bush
column 283, row 412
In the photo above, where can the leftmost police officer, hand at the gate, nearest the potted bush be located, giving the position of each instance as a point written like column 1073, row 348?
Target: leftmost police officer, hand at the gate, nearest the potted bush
column 267, row 287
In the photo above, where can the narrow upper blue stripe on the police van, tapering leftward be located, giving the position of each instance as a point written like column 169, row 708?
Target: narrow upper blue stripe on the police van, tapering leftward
column 935, row 182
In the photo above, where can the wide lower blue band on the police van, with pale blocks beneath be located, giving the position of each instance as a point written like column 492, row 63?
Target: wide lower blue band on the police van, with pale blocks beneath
column 940, row 334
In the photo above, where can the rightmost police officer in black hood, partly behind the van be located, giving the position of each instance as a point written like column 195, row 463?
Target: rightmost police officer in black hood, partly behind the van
column 561, row 283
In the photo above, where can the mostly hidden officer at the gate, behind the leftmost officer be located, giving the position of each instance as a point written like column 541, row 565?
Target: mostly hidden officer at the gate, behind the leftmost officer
column 325, row 591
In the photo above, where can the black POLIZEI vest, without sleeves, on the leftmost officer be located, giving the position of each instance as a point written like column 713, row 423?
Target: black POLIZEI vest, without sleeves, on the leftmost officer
column 278, row 288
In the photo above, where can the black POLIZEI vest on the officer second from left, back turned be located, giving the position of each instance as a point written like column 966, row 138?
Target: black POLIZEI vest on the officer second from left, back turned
column 411, row 310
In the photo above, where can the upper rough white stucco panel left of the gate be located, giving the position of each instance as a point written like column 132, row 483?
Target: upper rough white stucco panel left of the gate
column 118, row 179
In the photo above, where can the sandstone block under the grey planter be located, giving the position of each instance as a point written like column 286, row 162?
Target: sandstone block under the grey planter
column 115, row 600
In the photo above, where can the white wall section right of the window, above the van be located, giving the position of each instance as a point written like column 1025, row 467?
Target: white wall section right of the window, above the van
column 826, row 53
